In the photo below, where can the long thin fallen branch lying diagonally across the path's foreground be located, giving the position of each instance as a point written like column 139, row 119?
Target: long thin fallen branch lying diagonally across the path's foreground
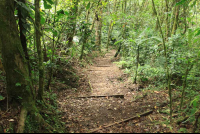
column 126, row 120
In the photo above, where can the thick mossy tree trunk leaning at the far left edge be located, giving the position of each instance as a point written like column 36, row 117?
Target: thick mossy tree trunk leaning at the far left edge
column 19, row 87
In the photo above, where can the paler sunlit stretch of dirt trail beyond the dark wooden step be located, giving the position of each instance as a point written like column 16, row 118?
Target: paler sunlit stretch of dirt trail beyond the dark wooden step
column 104, row 76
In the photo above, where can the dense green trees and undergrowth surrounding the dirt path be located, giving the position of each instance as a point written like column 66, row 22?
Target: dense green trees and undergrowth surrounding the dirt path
column 157, row 41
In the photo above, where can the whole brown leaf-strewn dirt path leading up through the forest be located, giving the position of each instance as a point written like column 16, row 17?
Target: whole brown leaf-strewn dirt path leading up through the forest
column 83, row 115
